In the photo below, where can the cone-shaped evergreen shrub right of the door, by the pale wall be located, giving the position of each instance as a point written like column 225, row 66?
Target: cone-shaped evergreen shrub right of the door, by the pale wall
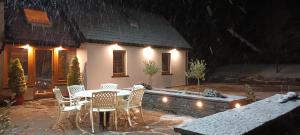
column 74, row 73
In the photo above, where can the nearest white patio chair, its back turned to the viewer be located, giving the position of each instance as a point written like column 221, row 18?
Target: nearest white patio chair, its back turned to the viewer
column 105, row 101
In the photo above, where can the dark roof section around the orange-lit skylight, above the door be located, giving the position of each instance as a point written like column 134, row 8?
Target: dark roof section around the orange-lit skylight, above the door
column 18, row 30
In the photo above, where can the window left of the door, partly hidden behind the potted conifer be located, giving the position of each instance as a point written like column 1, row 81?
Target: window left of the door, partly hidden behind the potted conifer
column 22, row 54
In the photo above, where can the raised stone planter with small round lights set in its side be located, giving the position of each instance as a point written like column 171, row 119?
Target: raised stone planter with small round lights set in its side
column 187, row 103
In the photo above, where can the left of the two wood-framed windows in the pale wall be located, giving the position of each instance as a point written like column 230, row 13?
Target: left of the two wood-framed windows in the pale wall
column 119, row 63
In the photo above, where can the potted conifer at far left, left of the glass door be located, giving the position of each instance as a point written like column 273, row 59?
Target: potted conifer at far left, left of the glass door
column 16, row 81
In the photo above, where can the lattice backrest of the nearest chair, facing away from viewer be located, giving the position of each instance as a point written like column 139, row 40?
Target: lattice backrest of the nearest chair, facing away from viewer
column 104, row 100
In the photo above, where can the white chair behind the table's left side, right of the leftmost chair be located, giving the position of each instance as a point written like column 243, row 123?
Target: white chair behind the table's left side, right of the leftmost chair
column 74, row 89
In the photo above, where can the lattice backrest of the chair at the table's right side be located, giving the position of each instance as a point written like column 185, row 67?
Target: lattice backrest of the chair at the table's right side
column 136, row 97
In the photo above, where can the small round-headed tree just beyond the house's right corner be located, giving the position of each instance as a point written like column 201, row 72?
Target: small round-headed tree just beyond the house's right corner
column 197, row 70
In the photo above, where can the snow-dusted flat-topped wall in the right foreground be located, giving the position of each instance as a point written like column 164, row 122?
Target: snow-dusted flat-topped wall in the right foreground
column 265, row 117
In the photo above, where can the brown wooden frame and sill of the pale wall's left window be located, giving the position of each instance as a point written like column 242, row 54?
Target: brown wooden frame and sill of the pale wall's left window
column 123, row 63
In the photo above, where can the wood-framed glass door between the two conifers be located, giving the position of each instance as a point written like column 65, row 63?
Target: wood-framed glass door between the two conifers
column 43, row 72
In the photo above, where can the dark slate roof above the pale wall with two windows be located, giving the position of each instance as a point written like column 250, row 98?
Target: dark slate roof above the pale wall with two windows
column 105, row 22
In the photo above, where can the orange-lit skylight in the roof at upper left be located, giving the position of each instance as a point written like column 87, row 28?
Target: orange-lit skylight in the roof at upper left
column 37, row 17
